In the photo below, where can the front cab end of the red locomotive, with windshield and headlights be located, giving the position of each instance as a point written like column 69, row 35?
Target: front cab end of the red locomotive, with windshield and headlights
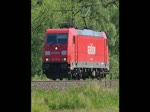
column 55, row 53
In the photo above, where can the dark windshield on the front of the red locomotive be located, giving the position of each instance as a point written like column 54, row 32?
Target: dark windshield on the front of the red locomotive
column 57, row 38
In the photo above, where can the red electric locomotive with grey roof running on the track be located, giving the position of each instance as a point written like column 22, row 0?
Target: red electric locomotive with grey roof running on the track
column 74, row 54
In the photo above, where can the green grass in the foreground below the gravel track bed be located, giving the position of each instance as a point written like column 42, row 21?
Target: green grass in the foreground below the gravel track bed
column 89, row 98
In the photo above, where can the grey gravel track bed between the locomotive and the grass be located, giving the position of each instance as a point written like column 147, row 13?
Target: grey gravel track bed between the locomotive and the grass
column 63, row 85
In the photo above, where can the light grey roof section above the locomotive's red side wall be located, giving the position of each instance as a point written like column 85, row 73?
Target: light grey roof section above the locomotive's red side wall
column 88, row 32
